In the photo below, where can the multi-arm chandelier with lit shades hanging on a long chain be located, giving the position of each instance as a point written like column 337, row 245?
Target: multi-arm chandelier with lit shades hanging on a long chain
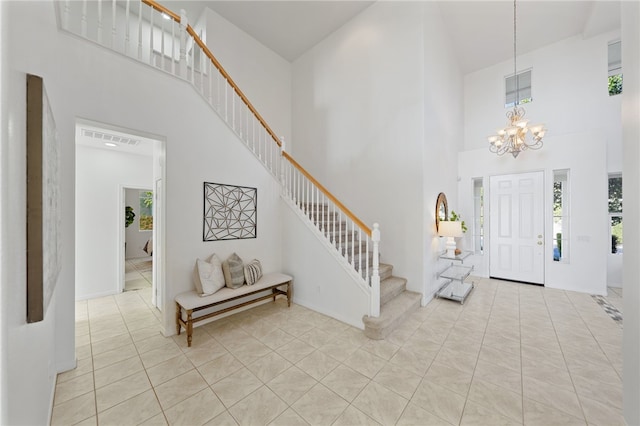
column 518, row 135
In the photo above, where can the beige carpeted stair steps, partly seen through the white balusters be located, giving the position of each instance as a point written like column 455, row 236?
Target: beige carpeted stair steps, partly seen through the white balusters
column 396, row 302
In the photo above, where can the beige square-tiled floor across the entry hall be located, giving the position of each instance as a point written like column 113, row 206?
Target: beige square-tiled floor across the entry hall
column 512, row 354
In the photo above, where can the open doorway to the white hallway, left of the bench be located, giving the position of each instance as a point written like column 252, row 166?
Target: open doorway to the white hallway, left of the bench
column 109, row 159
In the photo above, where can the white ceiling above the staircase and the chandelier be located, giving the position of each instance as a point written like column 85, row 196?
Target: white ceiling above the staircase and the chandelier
column 481, row 31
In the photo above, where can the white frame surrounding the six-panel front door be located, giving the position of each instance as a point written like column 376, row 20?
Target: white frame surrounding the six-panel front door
column 488, row 233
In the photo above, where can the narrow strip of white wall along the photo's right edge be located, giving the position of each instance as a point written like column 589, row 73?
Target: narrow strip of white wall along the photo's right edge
column 631, row 188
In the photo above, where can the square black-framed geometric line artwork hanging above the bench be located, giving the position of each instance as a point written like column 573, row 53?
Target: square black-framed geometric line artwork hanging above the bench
column 230, row 212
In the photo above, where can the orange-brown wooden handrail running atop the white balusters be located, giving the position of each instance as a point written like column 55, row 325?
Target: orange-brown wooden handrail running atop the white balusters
column 205, row 49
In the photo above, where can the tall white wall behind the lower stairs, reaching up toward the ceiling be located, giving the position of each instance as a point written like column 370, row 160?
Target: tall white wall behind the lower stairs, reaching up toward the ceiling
column 375, row 106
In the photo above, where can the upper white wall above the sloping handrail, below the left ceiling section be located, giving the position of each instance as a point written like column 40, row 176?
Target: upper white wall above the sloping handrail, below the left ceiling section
column 262, row 75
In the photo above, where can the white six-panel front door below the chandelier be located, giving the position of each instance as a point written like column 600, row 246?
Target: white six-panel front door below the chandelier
column 517, row 227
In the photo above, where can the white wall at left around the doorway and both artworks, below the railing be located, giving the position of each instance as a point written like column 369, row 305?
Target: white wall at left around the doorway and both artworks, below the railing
column 84, row 80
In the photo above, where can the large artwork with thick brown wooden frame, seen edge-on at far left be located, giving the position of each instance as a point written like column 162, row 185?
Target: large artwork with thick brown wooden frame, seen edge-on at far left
column 43, row 194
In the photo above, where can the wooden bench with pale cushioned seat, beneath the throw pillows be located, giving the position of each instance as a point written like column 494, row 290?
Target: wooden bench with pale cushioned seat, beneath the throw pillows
column 191, row 302
